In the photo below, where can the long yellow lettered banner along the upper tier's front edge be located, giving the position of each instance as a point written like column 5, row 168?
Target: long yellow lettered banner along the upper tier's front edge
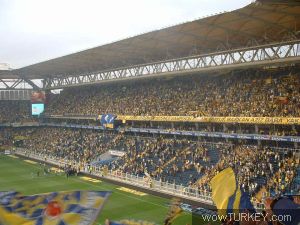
column 245, row 120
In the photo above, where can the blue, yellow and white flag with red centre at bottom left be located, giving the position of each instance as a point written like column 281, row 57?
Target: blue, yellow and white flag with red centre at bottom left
column 56, row 208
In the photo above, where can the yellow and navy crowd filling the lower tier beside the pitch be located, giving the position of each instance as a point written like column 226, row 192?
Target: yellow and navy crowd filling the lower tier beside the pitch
column 181, row 161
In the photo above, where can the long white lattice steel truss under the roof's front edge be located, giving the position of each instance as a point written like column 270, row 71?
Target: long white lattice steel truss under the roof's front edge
column 262, row 55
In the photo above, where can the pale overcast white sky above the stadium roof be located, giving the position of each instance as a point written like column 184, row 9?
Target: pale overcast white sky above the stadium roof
column 33, row 31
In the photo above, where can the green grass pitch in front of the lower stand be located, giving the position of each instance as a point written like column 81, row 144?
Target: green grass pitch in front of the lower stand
column 16, row 174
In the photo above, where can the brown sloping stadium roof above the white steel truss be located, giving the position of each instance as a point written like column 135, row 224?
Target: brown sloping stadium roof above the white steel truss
column 261, row 22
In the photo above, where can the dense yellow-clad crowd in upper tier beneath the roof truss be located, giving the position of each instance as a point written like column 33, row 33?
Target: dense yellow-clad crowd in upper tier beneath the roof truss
column 250, row 93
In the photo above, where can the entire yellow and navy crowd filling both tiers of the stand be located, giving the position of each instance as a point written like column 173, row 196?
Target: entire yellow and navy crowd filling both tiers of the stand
column 262, row 170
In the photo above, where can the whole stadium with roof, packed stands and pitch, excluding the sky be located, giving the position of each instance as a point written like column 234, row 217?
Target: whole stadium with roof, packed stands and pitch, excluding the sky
column 156, row 120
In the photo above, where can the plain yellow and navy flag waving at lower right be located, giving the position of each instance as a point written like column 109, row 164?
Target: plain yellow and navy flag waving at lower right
column 227, row 194
